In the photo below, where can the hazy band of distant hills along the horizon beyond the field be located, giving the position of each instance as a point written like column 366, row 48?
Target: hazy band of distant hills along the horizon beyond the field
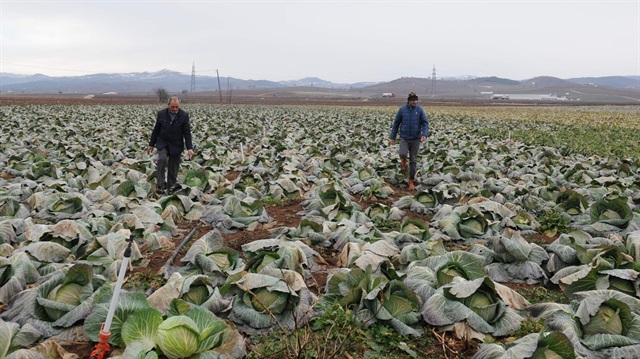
column 605, row 89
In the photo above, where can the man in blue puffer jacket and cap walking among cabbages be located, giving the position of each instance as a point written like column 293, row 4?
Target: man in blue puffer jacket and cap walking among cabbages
column 412, row 122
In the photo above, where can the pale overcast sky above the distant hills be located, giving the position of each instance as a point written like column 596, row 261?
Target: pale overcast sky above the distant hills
column 338, row 41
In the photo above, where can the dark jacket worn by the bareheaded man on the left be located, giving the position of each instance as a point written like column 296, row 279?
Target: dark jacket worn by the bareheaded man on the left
column 171, row 135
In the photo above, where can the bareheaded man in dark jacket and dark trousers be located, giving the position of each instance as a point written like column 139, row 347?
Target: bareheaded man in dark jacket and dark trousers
column 170, row 133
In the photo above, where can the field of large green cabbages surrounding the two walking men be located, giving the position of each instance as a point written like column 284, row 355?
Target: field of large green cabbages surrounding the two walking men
column 295, row 220
